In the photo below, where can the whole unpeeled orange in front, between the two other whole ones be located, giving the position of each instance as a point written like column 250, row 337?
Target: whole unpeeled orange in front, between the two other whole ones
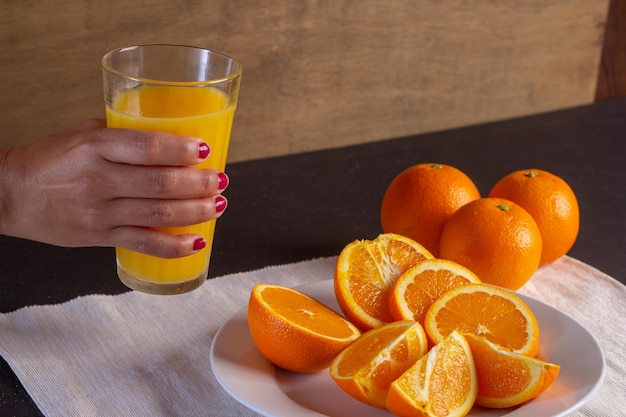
column 494, row 238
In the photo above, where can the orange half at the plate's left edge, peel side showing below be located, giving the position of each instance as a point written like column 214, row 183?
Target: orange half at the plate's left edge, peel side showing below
column 295, row 331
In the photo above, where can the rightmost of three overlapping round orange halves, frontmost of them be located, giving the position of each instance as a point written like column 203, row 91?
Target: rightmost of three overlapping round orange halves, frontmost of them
column 485, row 310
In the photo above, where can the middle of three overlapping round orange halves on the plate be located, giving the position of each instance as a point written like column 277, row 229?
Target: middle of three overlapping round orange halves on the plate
column 415, row 290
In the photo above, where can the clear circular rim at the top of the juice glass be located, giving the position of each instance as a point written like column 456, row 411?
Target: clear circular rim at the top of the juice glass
column 107, row 67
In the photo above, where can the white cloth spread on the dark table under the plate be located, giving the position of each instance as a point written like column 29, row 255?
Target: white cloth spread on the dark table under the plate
column 142, row 355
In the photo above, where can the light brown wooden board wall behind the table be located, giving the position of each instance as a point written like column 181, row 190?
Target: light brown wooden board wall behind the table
column 317, row 73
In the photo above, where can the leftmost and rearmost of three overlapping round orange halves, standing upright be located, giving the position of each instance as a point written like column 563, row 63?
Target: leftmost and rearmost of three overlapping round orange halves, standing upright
column 365, row 271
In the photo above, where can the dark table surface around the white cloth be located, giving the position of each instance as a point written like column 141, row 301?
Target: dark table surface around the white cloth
column 308, row 205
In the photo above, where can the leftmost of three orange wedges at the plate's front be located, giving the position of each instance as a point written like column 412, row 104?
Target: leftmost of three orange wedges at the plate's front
column 367, row 367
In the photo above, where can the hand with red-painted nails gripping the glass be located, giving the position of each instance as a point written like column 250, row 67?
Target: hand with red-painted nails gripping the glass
column 93, row 186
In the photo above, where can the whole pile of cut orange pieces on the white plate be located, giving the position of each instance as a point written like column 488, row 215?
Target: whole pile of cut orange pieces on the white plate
column 435, row 339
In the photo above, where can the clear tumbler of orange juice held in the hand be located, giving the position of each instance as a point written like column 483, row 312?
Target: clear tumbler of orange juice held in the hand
column 186, row 91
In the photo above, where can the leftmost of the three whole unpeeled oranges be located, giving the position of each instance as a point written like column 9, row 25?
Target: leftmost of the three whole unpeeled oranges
column 420, row 200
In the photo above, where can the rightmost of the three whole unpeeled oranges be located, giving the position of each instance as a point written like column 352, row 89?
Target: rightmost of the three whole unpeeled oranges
column 551, row 202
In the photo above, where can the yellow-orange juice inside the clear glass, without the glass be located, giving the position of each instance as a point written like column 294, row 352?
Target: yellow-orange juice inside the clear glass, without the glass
column 202, row 112
